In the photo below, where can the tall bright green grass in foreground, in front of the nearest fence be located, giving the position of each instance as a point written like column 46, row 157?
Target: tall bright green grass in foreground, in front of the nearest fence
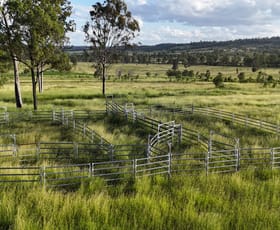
column 247, row 200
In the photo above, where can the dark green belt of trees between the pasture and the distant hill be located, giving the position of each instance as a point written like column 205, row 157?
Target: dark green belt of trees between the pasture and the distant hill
column 231, row 57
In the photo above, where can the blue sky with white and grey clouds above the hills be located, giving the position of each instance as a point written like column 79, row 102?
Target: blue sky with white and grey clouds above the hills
column 184, row 21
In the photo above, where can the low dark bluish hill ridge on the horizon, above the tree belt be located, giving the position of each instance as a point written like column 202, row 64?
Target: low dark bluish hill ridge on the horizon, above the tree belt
column 260, row 44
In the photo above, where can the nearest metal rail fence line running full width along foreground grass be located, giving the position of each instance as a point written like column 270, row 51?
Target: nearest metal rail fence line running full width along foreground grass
column 171, row 163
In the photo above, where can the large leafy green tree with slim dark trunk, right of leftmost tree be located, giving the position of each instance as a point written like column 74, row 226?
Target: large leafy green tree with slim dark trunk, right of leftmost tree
column 43, row 25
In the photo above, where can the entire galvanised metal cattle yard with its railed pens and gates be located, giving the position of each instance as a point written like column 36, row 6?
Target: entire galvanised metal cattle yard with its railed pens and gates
column 55, row 164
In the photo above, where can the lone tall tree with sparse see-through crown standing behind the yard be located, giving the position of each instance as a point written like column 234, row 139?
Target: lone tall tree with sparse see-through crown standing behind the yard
column 111, row 27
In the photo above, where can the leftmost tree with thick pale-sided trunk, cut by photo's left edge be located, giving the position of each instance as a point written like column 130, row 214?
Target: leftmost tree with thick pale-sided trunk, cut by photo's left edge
column 10, row 42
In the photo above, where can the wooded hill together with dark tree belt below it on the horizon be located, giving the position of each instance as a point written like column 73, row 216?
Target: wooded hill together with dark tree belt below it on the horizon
column 254, row 53
